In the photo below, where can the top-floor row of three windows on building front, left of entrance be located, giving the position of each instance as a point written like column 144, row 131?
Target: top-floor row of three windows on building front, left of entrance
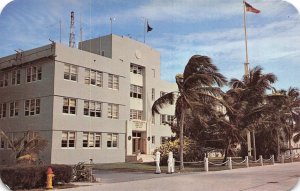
column 92, row 77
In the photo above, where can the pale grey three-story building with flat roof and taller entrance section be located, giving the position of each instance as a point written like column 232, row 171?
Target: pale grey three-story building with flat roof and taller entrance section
column 88, row 103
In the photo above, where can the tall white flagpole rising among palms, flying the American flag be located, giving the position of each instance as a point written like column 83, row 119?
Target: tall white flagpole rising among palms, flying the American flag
column 246, row 69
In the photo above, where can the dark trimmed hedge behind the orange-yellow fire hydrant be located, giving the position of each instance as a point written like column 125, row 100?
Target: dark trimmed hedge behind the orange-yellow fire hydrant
column 28, row 177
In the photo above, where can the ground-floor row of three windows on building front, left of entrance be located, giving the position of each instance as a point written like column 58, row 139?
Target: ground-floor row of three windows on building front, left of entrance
column 89, row 140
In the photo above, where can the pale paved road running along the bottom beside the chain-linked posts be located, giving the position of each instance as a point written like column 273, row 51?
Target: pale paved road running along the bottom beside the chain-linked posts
column 279, row 177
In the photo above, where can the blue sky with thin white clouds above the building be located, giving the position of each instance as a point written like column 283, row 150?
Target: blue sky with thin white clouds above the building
column 180, row 30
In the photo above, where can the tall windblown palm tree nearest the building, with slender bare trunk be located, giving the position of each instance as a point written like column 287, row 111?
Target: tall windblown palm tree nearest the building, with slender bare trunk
column 195, row 89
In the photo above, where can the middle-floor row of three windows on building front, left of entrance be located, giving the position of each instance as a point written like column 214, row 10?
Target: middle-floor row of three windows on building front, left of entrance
column 91, row 108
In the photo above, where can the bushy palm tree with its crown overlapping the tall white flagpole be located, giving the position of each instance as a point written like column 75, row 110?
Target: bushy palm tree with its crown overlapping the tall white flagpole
column 249, row 95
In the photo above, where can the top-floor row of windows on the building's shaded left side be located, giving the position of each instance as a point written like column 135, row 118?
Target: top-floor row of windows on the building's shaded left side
column 33, row 73
